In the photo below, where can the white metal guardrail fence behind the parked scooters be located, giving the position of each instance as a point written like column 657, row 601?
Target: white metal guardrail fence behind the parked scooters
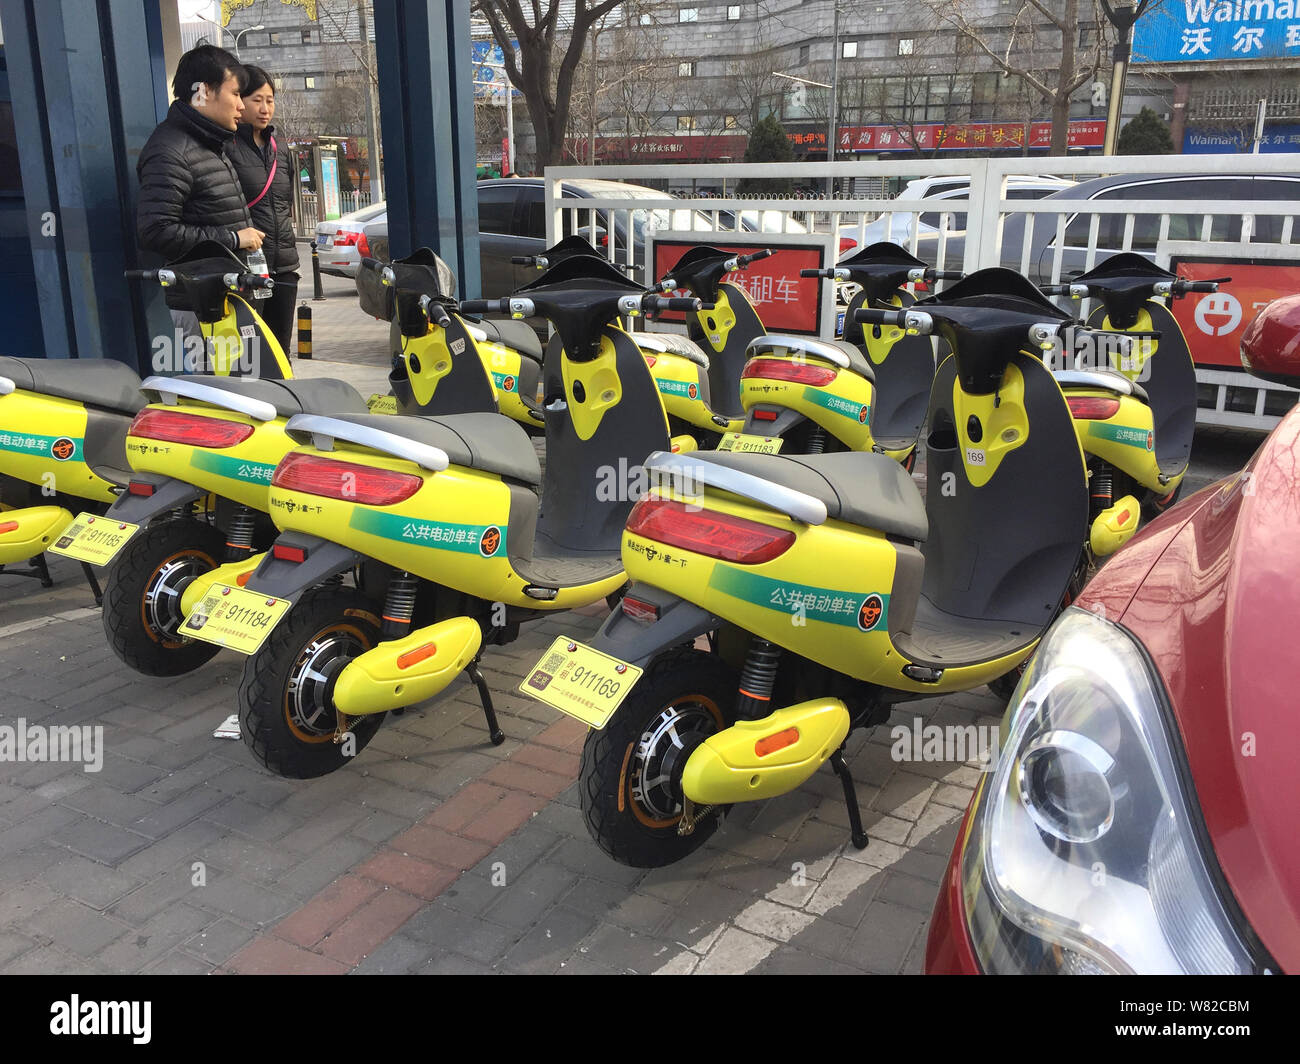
column 1045, row 240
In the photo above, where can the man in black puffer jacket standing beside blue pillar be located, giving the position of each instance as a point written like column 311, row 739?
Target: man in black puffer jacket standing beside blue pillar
column 189, row 188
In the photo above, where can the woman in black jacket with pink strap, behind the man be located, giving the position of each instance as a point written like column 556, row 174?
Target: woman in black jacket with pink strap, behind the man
column 267, row 176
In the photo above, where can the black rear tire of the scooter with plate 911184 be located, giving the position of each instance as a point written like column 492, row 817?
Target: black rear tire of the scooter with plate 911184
column 280, row 721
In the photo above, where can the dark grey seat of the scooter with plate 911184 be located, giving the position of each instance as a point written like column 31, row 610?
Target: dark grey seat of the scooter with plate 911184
column 492, row 443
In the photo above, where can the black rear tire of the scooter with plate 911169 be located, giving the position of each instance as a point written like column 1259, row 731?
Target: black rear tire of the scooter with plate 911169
column 642, row 831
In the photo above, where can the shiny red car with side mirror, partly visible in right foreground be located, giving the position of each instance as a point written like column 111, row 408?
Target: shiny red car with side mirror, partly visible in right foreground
column 1142, row 816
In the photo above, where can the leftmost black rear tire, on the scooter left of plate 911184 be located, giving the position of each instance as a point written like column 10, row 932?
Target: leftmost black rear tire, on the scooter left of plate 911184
column 142, row 596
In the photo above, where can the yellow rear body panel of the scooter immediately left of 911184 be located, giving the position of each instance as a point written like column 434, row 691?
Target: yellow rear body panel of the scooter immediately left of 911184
column 241, row 473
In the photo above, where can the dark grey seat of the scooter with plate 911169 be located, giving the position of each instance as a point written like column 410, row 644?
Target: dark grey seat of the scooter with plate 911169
column 857, row 487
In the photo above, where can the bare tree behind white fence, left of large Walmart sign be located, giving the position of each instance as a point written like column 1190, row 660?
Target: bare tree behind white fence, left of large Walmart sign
column 1041, row 46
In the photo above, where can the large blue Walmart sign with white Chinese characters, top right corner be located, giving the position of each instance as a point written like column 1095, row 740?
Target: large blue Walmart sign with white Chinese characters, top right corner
column 1198, row 31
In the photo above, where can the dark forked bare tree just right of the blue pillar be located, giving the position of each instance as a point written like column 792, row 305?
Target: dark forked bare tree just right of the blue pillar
column 548, row 86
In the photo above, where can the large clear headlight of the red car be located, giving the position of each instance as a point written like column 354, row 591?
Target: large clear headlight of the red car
column 1082, row 857
